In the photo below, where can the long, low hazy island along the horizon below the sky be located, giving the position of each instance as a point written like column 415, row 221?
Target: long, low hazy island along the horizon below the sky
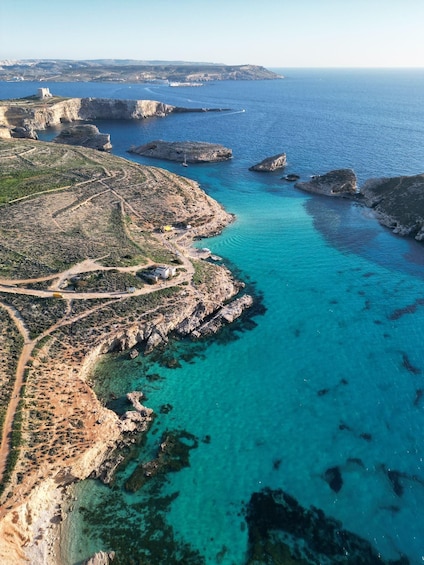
column 115, row 70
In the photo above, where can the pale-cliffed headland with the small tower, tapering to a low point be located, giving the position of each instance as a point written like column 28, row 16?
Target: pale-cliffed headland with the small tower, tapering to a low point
column 21, row 118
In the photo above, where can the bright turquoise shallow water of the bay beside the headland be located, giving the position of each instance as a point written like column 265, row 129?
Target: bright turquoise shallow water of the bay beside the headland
column 261, row 398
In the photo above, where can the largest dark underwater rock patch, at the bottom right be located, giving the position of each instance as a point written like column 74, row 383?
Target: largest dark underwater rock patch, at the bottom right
column 281, row 531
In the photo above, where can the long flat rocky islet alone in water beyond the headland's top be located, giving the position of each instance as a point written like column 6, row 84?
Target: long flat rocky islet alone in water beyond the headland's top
column 184, row 151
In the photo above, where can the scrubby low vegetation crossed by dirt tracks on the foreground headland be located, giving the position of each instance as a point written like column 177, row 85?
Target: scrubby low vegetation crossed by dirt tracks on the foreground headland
column 66, row 207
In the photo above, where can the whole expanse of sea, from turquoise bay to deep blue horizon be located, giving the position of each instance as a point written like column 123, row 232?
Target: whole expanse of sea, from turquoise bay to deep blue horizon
column 331, row 374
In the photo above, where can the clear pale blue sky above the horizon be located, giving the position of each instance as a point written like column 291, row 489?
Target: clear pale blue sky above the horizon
column 273, row 33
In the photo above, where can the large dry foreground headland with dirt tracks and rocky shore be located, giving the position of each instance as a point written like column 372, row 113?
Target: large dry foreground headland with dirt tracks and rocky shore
column 80, row 232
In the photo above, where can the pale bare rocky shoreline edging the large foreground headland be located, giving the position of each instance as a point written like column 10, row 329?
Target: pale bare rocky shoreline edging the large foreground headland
column 33, row 526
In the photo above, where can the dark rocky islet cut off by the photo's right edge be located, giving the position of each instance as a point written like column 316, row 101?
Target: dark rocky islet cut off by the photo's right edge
column 398, row 203
